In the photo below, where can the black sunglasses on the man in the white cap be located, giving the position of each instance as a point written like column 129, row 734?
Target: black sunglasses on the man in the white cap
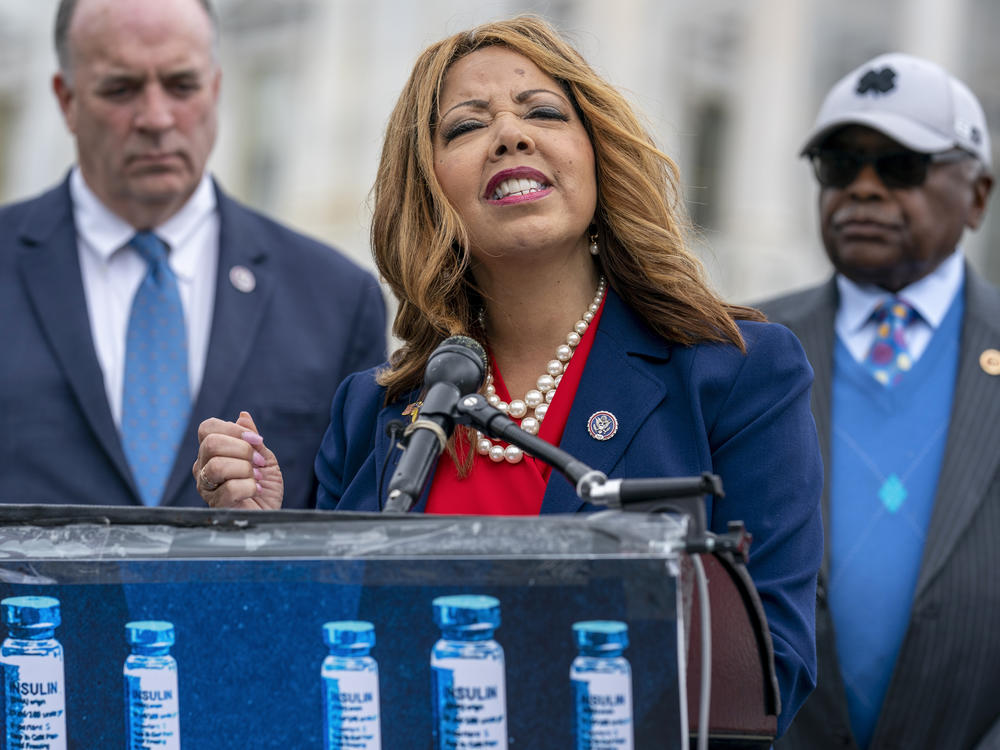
column 896, row 169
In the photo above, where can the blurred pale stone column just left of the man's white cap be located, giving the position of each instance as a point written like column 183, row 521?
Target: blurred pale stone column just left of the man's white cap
column 768, row 240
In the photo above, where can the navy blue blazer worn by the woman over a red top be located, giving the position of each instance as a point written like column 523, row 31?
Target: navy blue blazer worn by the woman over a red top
column 681, row 411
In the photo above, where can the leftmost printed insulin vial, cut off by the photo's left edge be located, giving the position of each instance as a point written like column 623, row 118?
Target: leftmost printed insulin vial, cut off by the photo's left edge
column 34, row 684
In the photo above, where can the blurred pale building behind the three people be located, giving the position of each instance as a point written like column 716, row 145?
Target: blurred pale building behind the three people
column 728, row 87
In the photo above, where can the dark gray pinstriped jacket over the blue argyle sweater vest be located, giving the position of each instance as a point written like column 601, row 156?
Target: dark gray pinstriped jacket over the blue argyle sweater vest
column 945, row 688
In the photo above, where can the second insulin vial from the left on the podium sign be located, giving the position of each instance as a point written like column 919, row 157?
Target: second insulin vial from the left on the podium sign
column 152, row 716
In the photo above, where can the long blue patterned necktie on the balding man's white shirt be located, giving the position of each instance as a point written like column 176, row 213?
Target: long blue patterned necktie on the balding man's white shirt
column 155, row 399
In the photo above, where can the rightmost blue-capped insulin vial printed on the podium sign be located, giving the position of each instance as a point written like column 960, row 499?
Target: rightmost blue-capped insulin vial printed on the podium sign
column 602, row 686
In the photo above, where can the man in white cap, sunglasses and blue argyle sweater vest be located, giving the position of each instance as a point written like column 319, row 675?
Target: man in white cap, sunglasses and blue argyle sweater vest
column 904, row 341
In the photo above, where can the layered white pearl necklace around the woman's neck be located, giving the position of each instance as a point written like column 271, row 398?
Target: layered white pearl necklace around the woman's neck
column 531, row 409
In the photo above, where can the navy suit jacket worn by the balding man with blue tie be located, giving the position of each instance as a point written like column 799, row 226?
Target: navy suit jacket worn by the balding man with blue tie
column 278, row 351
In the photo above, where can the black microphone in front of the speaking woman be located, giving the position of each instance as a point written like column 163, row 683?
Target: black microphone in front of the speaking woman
column 456, row 368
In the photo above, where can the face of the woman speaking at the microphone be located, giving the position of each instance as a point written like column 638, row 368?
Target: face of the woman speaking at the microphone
column 513, row 158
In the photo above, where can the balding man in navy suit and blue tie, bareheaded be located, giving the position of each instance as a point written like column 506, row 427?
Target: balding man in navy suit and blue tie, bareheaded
column 137, row 299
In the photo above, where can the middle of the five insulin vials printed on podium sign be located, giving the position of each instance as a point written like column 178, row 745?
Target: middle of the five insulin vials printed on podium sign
column 350, row 687
